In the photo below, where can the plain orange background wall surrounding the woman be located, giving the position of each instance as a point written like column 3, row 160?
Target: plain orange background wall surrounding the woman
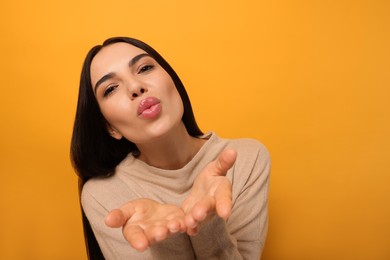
column 310, row 79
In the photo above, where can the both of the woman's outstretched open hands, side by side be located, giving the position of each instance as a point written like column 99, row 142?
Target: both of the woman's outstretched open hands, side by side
column 145, row 222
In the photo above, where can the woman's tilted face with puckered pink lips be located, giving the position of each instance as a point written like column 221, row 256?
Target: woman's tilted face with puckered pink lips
column 135, row 94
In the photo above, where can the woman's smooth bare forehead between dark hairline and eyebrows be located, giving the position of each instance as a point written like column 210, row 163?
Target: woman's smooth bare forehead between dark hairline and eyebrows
column 111, row 57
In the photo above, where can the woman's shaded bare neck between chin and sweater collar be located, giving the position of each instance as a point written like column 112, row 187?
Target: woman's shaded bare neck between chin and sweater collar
column 171, row 151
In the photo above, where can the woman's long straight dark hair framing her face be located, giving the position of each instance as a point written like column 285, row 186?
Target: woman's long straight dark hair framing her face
column 93, row 151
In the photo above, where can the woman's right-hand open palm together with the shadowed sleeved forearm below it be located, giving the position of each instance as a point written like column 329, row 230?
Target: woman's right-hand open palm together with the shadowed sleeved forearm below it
column 208, row 206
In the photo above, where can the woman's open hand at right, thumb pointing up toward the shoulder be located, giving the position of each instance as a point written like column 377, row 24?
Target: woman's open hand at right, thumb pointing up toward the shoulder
column 211, row 193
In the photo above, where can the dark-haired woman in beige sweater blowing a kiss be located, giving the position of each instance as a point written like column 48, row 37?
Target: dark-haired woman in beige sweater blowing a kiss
column 153, row 186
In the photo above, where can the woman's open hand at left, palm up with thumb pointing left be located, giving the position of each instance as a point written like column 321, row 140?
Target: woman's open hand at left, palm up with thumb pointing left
column 145, row 222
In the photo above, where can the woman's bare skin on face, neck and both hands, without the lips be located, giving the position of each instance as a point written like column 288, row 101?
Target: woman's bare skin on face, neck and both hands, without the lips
column 163, row 142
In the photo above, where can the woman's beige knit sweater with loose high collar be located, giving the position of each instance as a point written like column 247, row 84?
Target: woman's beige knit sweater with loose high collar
column 241, row 237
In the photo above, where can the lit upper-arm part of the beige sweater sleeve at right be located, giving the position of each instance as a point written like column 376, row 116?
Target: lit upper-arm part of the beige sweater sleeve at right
column 249, row 220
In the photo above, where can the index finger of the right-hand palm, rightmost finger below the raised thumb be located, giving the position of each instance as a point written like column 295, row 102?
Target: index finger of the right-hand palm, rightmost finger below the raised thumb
column 223, row 200
